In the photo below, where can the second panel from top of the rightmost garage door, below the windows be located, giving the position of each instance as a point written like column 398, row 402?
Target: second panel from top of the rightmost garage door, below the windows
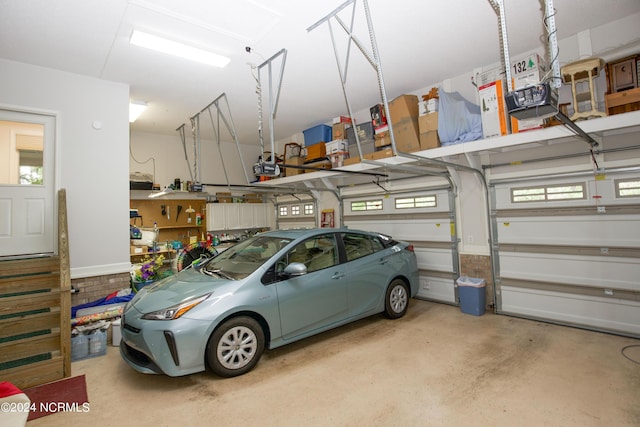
column 619, row 230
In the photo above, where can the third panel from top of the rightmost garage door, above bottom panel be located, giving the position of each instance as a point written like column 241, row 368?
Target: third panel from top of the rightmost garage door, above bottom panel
column 601, row 272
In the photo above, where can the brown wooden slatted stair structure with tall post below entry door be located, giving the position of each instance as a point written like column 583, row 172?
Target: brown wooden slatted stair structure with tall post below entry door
column 35, row 314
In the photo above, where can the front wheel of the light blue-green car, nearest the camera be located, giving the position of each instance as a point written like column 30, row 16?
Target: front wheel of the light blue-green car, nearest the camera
column 235, row 347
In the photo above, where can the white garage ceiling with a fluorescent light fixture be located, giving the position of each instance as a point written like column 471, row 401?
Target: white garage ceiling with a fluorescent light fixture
column 420, row 43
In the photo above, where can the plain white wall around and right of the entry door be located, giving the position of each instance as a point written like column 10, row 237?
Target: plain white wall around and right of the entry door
column 92, row 143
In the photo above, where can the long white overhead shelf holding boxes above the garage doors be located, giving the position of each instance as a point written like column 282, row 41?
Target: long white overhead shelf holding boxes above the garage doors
column 627, row 122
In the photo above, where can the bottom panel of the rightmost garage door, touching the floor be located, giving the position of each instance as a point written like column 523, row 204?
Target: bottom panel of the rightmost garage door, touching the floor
column 603, row 313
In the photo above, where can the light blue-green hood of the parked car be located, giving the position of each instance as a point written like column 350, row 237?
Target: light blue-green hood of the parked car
column 178, row 288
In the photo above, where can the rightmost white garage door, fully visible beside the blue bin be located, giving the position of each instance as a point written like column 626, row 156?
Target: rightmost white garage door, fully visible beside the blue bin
column 569, row 250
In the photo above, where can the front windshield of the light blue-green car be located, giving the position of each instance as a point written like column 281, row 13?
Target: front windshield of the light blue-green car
column 241, row 260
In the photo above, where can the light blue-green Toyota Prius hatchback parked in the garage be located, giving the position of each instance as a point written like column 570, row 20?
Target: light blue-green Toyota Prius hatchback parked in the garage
column 267, row 291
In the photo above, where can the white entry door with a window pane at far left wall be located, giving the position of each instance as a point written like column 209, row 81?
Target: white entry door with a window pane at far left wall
column 27, row 187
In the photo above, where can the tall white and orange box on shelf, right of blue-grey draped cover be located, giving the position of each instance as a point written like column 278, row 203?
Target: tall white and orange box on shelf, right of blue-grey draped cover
column 491, row 90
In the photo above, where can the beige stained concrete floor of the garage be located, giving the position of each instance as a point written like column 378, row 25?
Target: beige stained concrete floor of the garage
column 434, row 367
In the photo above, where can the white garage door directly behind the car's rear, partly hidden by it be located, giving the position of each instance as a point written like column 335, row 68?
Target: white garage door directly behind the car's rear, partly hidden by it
column 425, row 219
